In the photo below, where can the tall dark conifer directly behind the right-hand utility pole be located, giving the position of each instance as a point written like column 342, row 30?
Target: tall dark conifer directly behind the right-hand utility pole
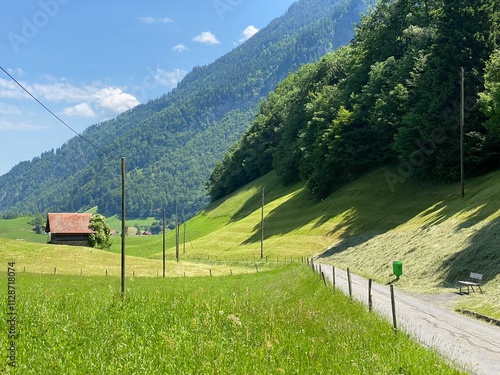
column 465, row 37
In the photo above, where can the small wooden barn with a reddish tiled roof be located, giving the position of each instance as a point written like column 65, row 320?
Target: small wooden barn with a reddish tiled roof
column 68, row 229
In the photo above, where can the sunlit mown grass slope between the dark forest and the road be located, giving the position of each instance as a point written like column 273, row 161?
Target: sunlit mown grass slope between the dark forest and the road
column 439, row 236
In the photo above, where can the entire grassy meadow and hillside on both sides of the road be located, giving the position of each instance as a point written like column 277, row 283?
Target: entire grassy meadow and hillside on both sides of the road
column 71, row 318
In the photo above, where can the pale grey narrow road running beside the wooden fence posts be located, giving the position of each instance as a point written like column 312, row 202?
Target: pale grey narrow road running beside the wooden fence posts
column 469, row 343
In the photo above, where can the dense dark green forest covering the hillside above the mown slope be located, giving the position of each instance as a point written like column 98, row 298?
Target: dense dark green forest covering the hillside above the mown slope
column 391, row 97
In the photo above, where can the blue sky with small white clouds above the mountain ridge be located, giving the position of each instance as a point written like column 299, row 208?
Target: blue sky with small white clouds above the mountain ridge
column 88, row 61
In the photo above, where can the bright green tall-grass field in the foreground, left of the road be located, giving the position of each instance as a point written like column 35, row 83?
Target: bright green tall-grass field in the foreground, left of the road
column 282, row 321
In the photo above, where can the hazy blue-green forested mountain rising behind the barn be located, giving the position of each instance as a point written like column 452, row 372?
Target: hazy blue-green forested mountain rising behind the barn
column 171, row 144
